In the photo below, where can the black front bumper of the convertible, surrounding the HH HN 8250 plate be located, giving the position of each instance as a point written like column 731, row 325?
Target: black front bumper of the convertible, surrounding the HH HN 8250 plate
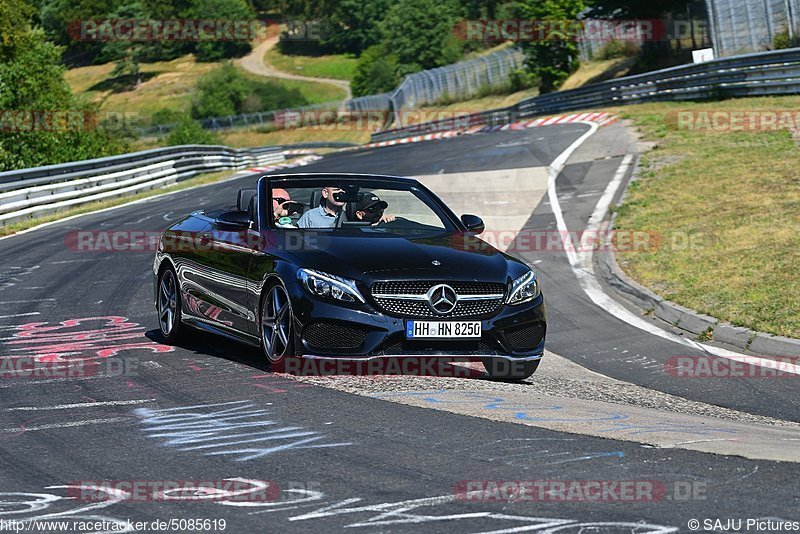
column 326, row 329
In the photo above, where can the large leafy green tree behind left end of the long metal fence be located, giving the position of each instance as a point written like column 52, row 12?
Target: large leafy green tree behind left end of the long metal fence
column 420, row 33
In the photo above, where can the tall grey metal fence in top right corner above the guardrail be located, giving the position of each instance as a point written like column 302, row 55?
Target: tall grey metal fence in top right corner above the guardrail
column 740, row 26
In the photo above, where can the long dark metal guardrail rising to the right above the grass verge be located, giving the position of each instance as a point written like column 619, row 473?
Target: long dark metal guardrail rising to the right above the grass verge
column 768, row 73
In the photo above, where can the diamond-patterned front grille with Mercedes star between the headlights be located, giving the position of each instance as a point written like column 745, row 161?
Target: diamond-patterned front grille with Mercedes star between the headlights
column 421, row 309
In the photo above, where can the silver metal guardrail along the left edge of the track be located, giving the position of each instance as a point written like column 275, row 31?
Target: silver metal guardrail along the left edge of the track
column 40, row 191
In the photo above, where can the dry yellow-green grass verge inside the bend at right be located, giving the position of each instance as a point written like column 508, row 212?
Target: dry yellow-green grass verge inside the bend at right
column 727, row 206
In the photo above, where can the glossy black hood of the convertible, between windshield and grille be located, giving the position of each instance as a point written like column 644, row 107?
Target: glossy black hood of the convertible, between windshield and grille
column 392, row 257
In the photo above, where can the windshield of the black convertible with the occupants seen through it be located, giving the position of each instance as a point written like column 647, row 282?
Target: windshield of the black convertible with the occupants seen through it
column 356, row 207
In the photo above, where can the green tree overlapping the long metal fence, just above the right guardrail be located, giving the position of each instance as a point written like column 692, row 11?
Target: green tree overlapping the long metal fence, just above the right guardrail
column 554, row 58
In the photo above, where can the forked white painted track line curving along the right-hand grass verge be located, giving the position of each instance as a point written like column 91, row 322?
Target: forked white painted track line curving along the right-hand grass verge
column 582, row 267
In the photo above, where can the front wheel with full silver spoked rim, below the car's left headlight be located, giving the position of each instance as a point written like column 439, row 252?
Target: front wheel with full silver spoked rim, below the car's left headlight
column 275, row 325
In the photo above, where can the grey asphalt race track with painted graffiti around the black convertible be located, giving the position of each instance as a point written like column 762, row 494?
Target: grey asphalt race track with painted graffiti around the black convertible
column 374, row 454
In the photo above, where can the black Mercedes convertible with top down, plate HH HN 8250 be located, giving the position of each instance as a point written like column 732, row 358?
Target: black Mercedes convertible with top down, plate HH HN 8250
column 349, row 266
